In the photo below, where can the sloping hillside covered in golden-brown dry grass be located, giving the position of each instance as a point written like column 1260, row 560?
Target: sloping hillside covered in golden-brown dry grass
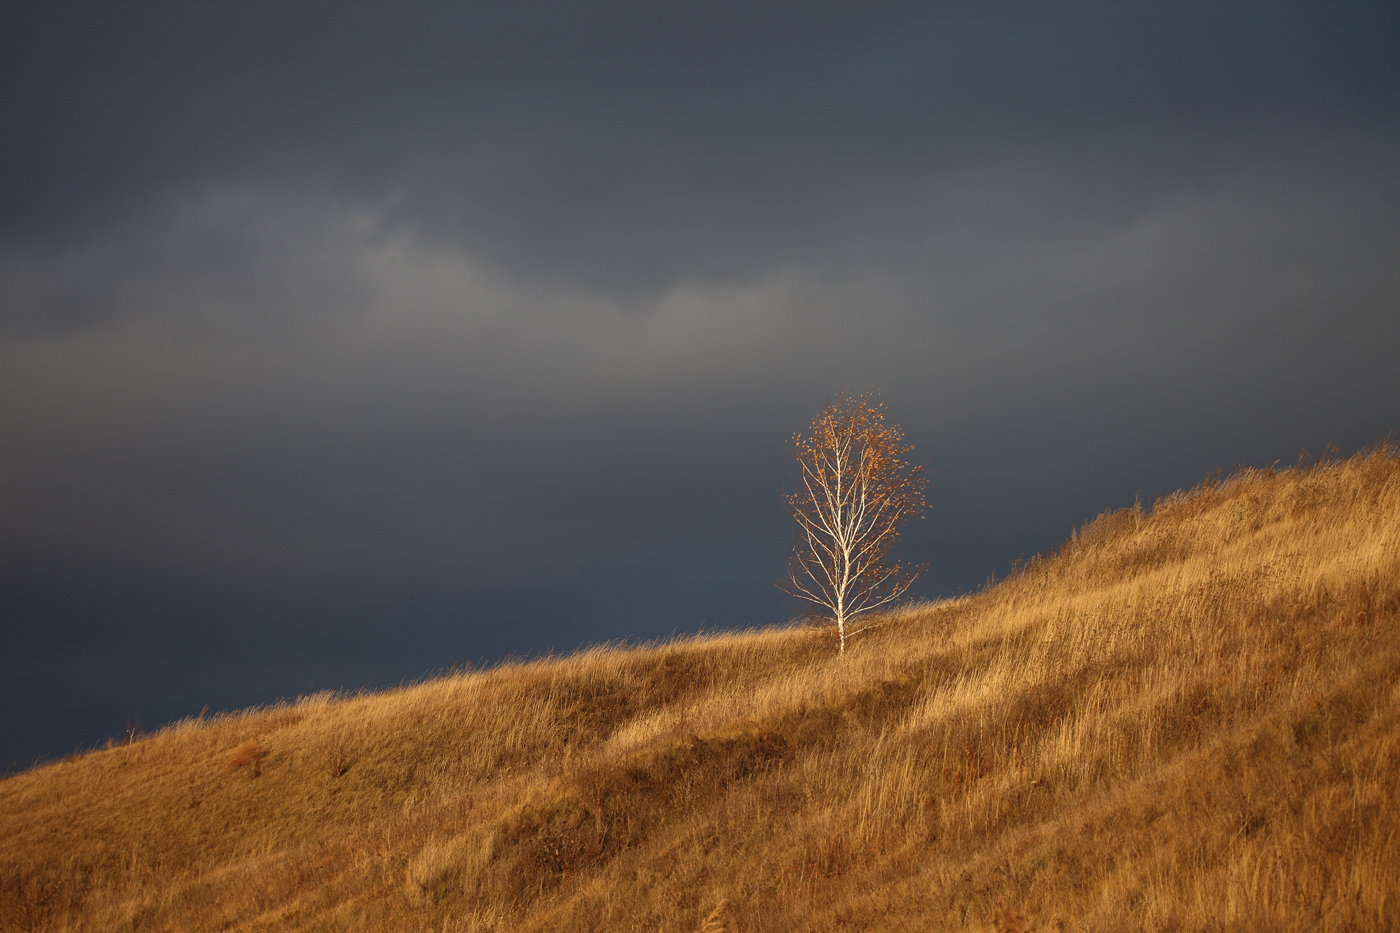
column 1188, row 718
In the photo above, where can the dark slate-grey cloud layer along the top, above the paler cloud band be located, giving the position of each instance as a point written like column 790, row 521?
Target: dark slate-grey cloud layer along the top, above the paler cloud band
column 631, row 145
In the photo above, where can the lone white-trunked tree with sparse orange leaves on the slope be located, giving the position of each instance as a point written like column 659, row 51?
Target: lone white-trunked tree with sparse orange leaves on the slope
column 855, row 495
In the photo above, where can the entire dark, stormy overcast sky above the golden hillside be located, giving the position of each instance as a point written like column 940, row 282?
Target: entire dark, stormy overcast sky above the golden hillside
column 345, row 343
